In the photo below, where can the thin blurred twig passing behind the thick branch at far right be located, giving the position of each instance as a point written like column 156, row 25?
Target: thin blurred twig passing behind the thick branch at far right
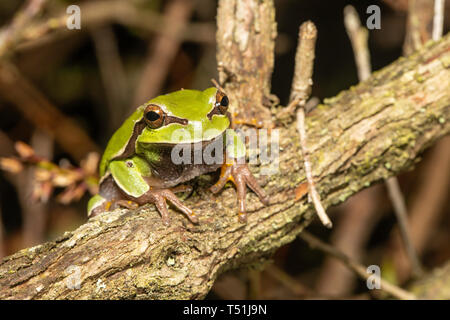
column 358, row 36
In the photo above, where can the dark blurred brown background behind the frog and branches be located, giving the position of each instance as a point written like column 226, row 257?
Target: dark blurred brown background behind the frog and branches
column 120, row 58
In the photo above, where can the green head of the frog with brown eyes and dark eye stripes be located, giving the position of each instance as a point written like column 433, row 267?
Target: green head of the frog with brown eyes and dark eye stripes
column 185, row 116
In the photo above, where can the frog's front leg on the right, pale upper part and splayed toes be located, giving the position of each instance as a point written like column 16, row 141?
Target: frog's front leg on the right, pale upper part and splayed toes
column 236, row 170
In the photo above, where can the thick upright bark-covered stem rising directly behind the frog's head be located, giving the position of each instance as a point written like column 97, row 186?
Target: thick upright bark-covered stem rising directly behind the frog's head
column 246, row 32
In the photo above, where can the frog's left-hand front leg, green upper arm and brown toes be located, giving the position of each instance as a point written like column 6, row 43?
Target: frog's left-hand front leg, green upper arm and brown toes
column 130, row 175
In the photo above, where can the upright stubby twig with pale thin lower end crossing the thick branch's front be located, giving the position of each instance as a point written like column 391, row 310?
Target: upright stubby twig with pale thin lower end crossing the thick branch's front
column 301, row 89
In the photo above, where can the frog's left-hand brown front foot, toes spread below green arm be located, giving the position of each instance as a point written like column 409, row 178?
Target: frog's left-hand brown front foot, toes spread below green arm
column 159, row 197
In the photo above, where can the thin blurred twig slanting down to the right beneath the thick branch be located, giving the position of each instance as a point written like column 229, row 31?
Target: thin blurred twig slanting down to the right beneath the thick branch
column 359, row 269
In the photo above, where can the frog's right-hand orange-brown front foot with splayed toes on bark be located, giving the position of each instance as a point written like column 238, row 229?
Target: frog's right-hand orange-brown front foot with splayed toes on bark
column 240, row 175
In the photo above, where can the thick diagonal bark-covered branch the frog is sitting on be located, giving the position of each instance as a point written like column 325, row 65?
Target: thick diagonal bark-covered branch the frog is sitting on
column 365, row 134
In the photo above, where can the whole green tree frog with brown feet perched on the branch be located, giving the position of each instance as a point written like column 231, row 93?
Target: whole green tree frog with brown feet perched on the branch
column 167, row 141
